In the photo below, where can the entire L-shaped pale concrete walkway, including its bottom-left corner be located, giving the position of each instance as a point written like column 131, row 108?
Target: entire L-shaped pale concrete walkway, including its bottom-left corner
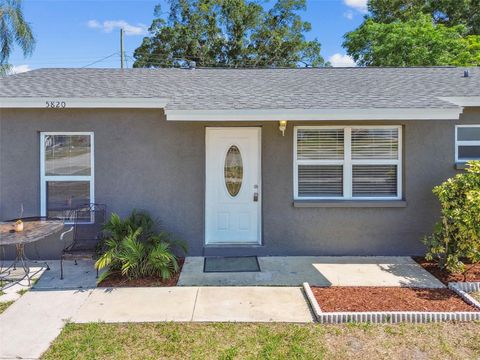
column 28, row 326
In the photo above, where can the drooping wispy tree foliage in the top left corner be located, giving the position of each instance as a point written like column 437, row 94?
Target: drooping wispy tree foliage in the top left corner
column 13, row 30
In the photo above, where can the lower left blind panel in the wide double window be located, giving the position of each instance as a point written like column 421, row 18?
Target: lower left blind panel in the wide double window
column 320, row 180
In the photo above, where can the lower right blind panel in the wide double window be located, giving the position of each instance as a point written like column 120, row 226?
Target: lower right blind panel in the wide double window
column 374, row 180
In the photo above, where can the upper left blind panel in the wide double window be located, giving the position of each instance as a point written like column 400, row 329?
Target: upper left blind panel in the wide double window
column 321, row 144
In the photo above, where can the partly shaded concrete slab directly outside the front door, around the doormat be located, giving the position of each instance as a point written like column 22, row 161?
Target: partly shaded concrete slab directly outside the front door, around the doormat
column 317, row 271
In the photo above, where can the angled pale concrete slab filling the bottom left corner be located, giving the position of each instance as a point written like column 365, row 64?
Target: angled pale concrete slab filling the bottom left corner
column 30, row 324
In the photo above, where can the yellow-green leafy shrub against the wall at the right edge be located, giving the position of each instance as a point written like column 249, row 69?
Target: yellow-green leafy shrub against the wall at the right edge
column 456, row 237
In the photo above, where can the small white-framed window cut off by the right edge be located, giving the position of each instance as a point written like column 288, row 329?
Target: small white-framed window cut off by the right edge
column 467, row 143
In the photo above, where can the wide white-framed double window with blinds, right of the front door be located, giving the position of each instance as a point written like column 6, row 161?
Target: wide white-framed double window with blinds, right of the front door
column 348, row 162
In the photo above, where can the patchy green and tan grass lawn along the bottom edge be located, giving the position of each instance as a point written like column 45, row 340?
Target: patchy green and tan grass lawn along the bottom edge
column 266, row 341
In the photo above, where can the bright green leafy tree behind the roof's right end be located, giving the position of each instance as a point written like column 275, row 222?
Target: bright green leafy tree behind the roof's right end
column 415, row 42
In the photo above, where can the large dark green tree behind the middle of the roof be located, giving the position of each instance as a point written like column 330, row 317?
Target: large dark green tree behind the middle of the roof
column 232, row 33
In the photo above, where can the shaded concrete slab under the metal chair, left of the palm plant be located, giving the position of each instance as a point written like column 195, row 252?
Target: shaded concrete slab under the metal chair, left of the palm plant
column 80, row 276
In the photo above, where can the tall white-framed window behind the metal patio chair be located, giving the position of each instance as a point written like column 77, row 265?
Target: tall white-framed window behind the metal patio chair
column 66, row 171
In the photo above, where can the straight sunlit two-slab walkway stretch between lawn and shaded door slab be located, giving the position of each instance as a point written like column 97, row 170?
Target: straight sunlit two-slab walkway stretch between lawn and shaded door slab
column 240, row 304
